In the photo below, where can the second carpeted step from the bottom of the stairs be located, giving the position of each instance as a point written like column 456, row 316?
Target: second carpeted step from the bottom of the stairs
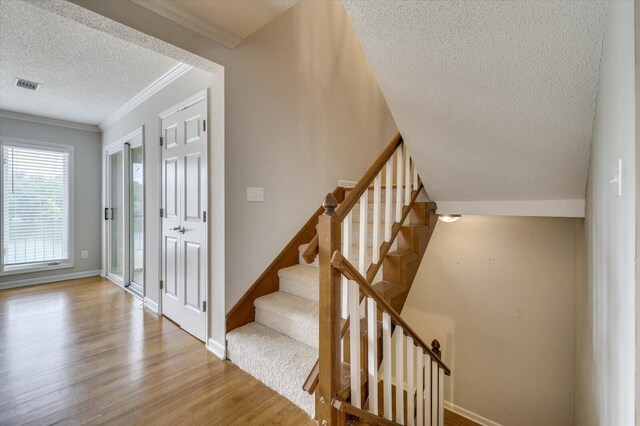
column 291, row 315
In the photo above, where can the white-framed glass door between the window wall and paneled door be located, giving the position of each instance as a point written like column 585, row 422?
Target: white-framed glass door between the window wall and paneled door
column 124, row 213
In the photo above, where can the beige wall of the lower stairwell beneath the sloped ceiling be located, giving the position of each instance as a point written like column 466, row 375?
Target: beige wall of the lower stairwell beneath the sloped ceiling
column 498, row 293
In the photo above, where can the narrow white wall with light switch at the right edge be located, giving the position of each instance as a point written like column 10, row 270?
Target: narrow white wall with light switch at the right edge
column 605, row 314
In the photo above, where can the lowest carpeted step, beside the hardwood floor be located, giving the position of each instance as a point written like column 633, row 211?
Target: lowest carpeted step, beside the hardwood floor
column 278, row 361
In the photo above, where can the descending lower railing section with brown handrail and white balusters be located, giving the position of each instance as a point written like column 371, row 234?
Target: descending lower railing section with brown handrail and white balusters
column 419, row 400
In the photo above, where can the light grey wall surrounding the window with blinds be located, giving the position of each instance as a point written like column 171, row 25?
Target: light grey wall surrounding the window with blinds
column 87, row 217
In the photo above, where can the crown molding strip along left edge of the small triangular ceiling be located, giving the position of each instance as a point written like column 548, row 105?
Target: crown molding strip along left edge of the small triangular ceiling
column 190, row 21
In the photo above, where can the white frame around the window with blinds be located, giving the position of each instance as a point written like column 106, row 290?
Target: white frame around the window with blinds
column 35, row 267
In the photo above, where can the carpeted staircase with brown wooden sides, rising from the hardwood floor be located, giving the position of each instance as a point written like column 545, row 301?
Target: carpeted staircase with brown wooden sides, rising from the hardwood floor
column 273, row 332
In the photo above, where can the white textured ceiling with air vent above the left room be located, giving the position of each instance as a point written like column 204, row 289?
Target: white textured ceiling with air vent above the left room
column 85, row 74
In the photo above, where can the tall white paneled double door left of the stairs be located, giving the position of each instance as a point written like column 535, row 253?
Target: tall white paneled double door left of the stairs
column 184, row 231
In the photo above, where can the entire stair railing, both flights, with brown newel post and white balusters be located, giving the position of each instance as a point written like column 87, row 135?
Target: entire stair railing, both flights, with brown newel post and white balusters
column 343, row 287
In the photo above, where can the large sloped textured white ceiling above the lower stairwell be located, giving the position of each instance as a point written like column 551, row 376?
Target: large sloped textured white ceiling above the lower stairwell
column 495, row 99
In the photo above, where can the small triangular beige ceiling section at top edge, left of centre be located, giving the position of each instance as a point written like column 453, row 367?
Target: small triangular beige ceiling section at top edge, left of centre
column 225, row 21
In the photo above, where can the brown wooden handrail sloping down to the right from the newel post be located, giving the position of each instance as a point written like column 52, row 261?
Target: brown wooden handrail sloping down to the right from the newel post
column 339, row 262
